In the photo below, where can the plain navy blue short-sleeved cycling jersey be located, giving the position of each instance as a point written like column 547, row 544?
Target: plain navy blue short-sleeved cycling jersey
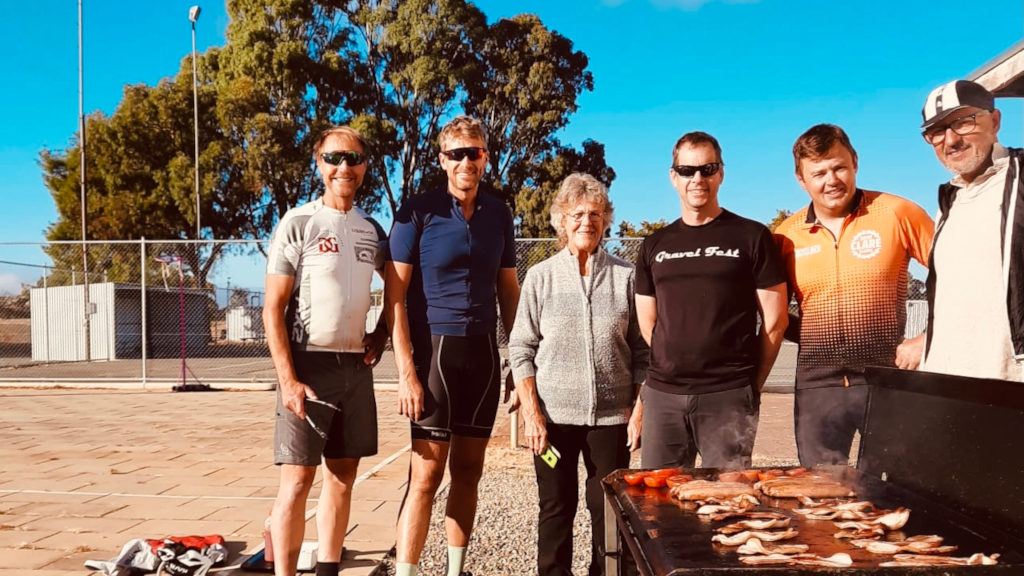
column 455, row 263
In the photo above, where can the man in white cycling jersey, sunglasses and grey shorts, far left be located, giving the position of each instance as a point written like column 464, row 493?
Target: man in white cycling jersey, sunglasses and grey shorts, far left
column 322, row 259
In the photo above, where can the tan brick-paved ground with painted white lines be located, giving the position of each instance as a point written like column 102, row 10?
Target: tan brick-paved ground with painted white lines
column 86, row 471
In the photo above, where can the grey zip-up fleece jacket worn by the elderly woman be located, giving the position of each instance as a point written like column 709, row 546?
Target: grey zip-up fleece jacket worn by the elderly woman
column 580, row 340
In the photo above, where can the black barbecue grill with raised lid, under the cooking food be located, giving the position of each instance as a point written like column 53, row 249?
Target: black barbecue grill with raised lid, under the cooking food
column 949, row 448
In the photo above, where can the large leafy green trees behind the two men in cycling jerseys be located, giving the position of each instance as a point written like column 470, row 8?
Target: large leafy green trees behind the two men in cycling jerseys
column 395, row 70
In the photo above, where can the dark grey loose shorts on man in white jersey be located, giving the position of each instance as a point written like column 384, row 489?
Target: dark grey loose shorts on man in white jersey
column 342, row 380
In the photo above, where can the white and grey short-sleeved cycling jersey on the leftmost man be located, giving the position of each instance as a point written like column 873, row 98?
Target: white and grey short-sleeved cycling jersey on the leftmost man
column 332, row 256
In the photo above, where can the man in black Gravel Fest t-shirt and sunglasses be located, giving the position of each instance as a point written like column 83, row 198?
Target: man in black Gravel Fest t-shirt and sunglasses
column 701, row 283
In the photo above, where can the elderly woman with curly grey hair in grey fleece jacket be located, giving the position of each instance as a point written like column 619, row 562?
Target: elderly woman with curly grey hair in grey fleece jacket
column 578, row 359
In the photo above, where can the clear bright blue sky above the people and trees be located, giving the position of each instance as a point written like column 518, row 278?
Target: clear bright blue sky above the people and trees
column 755, row 74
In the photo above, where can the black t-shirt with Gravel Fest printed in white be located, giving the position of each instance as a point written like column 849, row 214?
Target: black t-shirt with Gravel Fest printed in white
column 705, row 280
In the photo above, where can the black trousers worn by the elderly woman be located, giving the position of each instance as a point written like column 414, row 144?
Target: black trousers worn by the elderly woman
column 604, row 450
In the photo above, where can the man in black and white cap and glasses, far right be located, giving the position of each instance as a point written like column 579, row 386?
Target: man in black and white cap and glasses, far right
column 976, row 269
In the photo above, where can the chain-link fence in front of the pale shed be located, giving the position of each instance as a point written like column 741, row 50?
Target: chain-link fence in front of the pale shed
column 163, row 312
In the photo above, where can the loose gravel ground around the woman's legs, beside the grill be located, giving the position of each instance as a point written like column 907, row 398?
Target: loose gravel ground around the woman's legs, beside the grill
column 504, row 541
